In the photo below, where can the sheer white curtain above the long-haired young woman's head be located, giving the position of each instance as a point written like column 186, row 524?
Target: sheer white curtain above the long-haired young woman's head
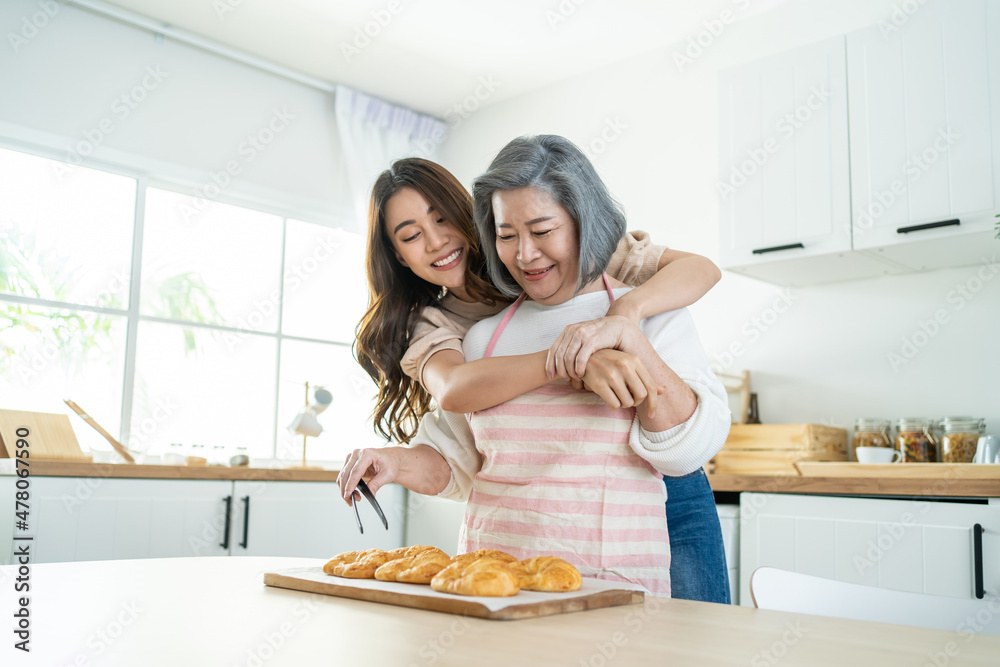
column 373, row 133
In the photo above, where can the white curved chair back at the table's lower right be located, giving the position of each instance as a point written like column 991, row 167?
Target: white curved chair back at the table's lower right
column 781, row 590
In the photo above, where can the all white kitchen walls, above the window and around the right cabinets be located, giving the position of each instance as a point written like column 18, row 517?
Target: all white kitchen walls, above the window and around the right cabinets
column 825, row 360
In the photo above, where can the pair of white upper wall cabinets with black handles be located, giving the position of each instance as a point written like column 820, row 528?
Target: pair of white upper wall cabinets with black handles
column 864, row 155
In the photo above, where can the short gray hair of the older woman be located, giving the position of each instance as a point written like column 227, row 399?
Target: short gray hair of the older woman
column 555, row 165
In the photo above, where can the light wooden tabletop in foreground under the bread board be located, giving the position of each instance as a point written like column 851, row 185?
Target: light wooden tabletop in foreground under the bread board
column 216, row 611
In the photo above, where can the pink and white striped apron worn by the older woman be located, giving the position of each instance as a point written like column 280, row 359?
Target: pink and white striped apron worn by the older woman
column 559, row 478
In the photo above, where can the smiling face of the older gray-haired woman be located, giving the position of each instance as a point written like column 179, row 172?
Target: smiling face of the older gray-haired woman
column 537, row 242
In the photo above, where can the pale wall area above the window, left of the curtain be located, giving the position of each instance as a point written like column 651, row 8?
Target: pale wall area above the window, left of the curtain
column 60, row 80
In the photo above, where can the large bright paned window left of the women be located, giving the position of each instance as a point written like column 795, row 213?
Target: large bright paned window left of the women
column 237, row 309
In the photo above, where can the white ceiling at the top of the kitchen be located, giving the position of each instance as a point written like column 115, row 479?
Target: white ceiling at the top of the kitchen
column 431, row 54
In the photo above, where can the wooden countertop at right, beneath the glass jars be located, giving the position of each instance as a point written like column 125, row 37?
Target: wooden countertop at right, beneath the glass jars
column 946, row 485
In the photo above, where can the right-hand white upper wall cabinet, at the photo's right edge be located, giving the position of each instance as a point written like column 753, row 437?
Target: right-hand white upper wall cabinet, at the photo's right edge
column 924, row 116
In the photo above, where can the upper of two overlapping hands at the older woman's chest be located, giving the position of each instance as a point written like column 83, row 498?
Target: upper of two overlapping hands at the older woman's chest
column 569, row 354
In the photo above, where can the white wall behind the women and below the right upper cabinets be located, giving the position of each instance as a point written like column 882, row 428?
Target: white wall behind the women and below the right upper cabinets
column 825, row 360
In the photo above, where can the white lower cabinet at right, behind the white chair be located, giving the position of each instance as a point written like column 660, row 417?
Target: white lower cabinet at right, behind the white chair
column 920, row 546
